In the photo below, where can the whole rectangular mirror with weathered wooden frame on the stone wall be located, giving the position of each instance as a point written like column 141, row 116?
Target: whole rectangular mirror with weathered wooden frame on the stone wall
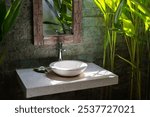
column 57, row 19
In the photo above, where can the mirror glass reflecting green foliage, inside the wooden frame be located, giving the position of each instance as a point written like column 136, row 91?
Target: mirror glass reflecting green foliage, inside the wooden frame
column 57, row 17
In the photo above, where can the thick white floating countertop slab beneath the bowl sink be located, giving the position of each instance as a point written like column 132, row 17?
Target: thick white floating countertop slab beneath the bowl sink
column 40, row 84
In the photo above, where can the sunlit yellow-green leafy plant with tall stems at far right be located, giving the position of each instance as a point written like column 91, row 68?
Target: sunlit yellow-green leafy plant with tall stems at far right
column 135, row 20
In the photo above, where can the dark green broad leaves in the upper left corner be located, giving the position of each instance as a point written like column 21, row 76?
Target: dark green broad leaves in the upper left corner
column 9, row 10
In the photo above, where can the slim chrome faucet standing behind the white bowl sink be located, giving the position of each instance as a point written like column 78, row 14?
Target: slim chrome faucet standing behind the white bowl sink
column 60, row 49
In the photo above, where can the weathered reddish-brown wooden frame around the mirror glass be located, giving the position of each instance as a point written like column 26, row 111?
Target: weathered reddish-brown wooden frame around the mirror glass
column 39, row 39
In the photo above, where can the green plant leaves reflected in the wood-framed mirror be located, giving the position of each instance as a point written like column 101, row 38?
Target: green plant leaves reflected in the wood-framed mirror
column 62, row 9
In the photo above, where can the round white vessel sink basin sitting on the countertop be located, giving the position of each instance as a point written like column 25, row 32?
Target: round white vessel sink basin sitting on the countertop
column 68, row 67
